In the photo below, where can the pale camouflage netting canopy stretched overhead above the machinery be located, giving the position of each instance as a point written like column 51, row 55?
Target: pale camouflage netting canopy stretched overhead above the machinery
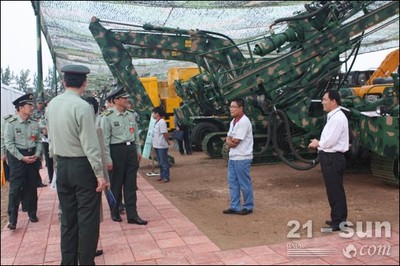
column 65, row 25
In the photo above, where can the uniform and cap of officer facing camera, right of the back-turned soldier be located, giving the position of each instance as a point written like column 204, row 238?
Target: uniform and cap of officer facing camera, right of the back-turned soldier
column 122, row 147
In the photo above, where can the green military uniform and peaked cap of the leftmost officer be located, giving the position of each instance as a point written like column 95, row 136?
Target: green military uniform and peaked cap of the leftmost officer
column 22, row 138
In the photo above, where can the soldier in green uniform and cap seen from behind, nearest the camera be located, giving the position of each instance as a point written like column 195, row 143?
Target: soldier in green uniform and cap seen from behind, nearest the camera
column 73, row 141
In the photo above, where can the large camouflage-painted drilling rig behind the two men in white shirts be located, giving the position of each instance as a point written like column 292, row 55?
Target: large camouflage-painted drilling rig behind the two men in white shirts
column 287, row 88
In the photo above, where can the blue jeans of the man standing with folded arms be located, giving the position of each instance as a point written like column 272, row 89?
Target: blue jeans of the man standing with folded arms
column 239, row 180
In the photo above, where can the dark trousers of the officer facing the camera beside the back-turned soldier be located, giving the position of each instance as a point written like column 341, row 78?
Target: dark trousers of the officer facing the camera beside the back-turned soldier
column 123, row 177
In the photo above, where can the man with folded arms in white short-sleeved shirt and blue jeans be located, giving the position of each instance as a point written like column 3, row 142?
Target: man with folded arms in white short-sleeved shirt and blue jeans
column 240, row 143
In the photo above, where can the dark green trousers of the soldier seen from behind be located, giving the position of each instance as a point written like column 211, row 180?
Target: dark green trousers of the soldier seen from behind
column 80, row 207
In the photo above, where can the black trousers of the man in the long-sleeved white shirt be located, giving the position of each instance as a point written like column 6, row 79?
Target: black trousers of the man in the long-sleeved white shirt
column 333, row 166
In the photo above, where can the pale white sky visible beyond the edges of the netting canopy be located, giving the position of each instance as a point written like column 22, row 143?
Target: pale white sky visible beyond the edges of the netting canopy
column 19, row 47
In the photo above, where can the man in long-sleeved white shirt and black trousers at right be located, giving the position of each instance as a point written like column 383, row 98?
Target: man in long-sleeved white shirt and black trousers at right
column 333, row 144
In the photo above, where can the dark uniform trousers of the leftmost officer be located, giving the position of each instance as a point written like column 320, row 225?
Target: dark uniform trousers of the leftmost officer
column 23, row 185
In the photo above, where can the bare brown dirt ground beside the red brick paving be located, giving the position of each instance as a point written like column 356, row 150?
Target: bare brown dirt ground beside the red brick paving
column 199, row 189
